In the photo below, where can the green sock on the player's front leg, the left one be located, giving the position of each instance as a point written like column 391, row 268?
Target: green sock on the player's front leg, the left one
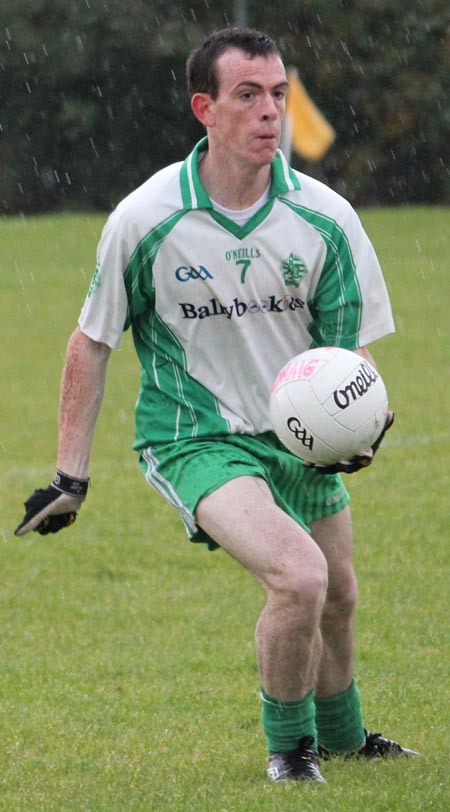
column 285, row 723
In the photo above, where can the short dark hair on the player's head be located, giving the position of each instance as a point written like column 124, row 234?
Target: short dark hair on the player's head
column 201, row 65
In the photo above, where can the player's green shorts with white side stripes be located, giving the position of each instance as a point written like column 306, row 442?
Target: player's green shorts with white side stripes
column 187, row 470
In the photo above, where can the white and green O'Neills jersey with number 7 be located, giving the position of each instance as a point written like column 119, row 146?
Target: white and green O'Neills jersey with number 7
column 216, row 309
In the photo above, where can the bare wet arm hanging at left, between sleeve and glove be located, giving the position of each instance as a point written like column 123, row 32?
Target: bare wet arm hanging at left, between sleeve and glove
column 82, row 388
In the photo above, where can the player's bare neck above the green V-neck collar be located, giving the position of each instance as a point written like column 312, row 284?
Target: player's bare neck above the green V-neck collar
column 230, row 184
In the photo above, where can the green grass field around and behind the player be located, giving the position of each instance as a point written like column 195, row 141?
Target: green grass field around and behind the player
column 128, row 681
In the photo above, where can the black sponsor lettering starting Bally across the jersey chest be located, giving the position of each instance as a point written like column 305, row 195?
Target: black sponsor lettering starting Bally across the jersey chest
column 239, row 308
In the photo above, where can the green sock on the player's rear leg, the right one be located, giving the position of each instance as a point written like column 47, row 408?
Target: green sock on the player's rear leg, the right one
column 339, row 721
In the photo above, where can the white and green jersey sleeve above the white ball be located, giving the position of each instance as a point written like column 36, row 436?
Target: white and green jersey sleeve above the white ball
column 350, row 305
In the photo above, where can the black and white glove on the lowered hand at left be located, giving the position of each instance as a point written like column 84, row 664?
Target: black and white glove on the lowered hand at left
column 49, row 510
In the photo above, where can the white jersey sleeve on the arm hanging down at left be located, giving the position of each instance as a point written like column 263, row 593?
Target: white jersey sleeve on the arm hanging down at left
column 104, row 315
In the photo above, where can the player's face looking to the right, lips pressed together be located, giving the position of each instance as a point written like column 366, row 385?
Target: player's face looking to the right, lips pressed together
column 248, row 111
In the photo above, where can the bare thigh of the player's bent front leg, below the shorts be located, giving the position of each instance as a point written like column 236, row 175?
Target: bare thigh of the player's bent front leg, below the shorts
column 244, row 519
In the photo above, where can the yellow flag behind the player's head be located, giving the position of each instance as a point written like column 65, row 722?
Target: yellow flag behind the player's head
column 306, row 130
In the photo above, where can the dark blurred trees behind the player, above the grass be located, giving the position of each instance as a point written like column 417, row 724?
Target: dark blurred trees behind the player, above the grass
column 93, row 95
